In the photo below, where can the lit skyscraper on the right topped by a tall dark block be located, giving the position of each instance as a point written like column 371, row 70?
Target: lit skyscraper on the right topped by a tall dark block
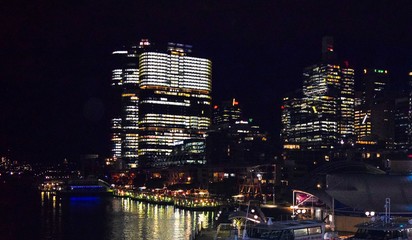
column 323, row 116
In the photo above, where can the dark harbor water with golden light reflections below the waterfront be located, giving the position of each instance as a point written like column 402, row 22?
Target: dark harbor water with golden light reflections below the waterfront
column 41, row 215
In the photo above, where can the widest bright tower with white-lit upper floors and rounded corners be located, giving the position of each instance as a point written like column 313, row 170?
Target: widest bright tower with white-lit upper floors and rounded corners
column 175, row 101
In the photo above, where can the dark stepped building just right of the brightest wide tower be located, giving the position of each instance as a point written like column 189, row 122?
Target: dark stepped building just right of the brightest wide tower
column 234, row 139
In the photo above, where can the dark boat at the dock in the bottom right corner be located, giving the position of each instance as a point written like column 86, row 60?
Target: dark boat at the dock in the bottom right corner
column 399, row 229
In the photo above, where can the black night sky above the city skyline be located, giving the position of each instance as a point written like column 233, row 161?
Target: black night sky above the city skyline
column 55, row 95
